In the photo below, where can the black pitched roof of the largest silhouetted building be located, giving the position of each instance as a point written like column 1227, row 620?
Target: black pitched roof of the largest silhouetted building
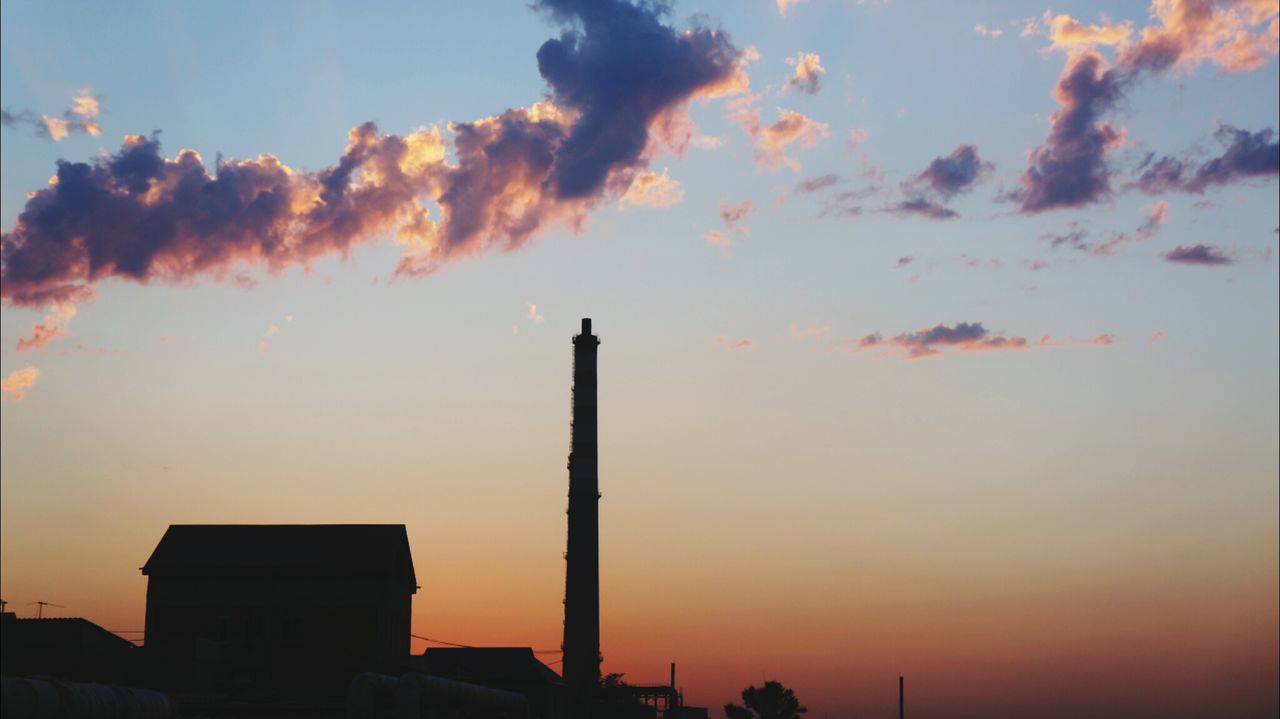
column 349, row 548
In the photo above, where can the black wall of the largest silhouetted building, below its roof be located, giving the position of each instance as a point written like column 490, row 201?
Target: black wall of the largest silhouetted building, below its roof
column 248, row 631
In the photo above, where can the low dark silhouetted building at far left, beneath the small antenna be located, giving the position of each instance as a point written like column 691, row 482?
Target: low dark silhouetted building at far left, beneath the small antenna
column 63, row 648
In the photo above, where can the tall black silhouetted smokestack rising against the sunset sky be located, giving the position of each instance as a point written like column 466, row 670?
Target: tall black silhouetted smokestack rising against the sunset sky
column 583, row 558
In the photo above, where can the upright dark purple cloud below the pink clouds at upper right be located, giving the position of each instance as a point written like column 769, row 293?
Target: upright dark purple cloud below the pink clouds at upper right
column 1069, row 170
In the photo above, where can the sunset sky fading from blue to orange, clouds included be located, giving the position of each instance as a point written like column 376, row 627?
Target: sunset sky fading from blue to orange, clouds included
column 938, row 340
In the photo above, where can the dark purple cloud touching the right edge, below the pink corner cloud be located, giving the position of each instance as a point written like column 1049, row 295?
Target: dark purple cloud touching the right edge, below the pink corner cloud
column 1246, row 157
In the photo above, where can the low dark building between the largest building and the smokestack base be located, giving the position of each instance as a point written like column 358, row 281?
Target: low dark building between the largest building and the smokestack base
column 514, row 670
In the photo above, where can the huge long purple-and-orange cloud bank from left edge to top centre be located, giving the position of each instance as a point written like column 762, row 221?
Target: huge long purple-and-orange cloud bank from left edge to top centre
column 141, row 217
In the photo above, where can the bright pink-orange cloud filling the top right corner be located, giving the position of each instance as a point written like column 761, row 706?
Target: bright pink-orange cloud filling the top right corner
column 1235, row 35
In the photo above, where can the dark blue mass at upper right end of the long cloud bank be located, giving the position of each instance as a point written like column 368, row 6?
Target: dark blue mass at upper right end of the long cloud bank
column 621, row 68
